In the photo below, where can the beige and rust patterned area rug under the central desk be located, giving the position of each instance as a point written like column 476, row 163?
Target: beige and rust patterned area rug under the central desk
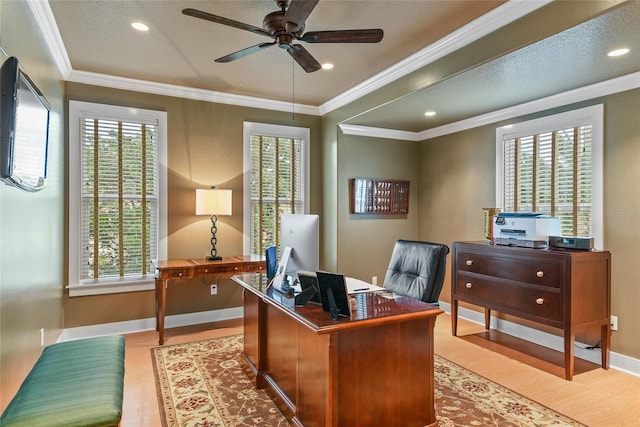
column 203, row 383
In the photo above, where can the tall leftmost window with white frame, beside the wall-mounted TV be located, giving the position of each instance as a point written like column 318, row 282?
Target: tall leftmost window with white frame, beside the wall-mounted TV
column 117, row 207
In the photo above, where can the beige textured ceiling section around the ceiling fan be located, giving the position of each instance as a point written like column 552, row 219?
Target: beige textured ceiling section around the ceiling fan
column 180, row 50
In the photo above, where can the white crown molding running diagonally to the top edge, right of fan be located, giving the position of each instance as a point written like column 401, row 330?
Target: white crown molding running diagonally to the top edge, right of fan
column 480, row 27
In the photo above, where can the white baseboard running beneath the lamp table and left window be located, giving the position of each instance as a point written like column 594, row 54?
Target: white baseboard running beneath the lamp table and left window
column 149, row 324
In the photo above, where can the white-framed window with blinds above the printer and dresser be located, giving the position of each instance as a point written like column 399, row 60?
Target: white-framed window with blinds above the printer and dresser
column 554, row 165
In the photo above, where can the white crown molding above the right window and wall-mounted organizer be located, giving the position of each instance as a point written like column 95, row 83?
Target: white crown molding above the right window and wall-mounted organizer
column 604, row 88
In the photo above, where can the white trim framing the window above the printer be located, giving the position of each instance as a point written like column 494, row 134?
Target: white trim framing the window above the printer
column 593, row 115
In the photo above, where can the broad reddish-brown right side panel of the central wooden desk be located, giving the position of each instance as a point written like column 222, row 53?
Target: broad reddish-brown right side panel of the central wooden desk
column 386, row 374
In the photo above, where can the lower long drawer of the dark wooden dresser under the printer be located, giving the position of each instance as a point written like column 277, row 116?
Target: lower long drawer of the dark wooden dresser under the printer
column 510, row 297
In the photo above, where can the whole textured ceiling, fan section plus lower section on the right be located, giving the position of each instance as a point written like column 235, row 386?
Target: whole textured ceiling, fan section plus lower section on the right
column 498, row 69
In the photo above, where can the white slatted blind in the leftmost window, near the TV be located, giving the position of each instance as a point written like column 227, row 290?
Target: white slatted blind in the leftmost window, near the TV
column 119, row 176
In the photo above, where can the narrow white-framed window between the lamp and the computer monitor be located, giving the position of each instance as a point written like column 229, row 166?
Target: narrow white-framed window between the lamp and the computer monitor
column 276, row 164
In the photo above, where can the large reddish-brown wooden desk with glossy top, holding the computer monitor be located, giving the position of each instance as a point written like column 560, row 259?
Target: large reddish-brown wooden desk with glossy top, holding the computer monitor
column 374, row 368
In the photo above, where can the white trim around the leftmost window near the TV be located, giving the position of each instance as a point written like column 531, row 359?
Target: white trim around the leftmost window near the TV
column 76, row 286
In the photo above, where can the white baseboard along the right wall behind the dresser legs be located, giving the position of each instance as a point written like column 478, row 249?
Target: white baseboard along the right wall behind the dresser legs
column 617, row 361
